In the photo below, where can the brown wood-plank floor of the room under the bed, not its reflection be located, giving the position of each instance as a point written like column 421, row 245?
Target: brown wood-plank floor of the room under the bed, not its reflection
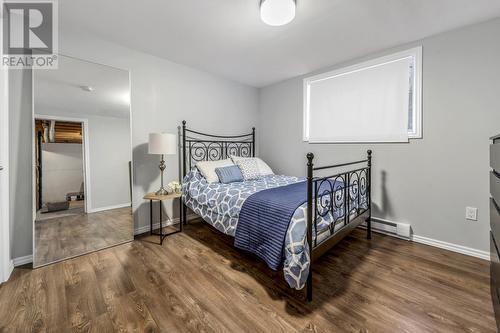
column 197, row 282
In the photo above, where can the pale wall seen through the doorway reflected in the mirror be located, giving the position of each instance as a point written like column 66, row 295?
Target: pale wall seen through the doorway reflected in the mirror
column 62, row 170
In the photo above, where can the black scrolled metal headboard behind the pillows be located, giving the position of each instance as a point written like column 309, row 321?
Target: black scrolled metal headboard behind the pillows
column 195, row 146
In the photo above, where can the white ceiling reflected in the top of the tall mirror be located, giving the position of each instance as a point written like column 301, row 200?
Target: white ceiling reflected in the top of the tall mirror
column 60, row 91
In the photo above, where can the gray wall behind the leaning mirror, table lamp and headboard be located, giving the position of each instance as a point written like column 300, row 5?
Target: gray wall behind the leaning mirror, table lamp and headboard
column 163, row 94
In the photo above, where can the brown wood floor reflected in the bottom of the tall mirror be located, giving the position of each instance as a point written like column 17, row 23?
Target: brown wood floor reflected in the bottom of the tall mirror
column 72, row 235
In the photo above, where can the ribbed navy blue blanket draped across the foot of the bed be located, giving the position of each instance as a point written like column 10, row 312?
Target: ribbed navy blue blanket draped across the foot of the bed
column 264, row 220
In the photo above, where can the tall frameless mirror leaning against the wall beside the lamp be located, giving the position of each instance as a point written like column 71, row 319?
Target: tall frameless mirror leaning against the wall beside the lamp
column 81, row 156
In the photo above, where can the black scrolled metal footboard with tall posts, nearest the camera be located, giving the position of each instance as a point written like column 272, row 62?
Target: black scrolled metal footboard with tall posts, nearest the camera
column 345, row 195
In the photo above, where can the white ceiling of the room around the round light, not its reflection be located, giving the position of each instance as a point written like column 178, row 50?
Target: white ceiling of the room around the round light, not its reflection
column 227, row 38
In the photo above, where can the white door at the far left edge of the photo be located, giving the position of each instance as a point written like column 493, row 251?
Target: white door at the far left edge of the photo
column 5, row 261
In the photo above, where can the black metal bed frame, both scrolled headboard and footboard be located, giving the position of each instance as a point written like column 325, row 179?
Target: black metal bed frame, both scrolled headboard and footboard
column 348, row 191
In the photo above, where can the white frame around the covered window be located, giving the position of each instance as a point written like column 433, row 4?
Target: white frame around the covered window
column 417, row 117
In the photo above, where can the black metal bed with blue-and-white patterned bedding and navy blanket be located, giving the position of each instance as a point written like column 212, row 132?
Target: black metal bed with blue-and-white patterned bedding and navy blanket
column 300, row 218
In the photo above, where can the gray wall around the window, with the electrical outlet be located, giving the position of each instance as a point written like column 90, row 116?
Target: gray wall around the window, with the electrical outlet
column 428, row 182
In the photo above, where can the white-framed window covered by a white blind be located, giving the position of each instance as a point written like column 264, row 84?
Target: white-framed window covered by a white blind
column 374, row 101
